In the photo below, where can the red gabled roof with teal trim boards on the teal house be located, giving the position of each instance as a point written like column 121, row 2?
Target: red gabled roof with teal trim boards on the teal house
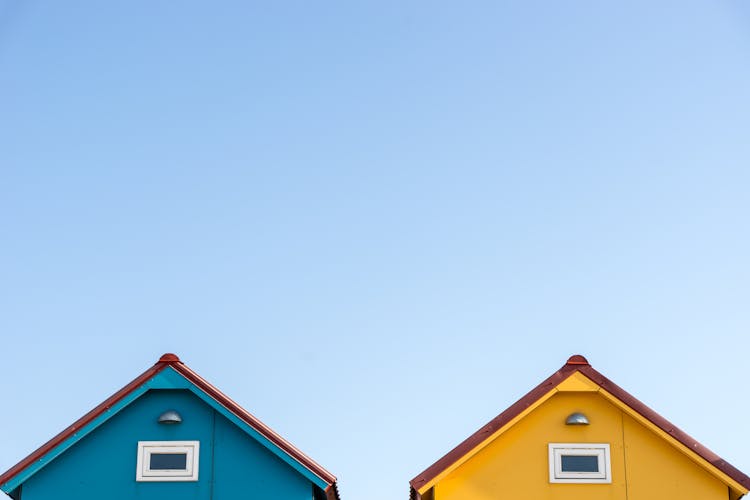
column 164, row 371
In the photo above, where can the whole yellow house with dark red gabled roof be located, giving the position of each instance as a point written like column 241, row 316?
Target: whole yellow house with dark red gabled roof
column 579, row 436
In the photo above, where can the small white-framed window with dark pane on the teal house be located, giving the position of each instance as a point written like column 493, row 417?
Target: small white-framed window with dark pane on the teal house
column 167, row 461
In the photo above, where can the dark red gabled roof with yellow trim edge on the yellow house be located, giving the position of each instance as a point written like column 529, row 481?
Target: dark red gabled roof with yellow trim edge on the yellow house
column 576, row 364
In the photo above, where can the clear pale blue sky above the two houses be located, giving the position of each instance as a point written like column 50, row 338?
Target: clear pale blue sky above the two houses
column 375, row 224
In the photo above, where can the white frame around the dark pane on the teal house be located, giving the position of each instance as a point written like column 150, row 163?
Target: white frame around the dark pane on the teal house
column 144, row 472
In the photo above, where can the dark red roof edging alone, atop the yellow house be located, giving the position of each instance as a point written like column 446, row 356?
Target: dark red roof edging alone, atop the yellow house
column 580, row 364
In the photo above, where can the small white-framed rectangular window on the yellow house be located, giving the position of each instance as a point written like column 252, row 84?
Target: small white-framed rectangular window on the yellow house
column 579, row 463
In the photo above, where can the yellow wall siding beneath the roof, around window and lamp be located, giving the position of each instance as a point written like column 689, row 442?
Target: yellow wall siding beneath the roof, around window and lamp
column 515, row 465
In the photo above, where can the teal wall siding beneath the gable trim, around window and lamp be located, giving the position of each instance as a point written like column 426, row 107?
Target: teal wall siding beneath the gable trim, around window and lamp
column 233, row 465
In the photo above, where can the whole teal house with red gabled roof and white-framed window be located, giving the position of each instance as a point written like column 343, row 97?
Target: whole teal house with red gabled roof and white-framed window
column 168, row 435
